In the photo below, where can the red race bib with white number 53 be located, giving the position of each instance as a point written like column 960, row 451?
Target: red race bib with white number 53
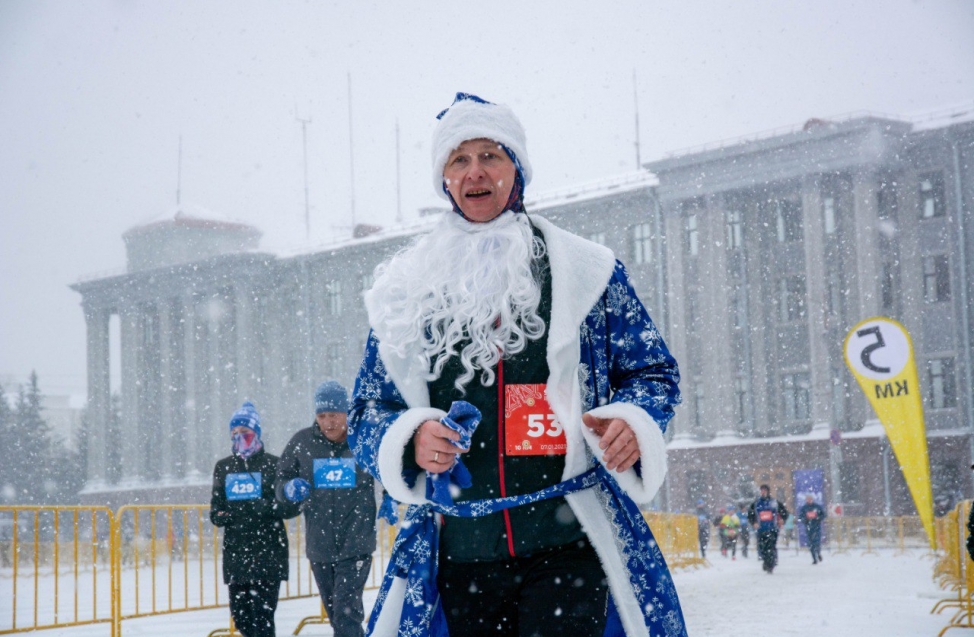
column 530, row 428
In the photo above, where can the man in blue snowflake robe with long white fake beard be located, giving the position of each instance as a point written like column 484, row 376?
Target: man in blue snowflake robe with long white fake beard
column 514, row 392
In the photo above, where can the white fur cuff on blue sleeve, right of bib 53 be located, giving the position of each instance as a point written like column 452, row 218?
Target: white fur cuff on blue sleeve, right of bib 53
column 652, row 450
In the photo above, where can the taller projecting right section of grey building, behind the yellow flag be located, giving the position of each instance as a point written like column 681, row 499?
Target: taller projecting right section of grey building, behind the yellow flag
column 776, row 248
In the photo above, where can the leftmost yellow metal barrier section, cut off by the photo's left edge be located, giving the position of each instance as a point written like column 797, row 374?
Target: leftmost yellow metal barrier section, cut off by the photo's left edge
column 57, row 561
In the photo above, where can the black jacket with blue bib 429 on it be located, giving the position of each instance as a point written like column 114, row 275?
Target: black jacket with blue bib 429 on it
column 255, row 545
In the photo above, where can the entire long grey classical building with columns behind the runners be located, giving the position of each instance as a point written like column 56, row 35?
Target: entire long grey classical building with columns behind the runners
column 754, row 257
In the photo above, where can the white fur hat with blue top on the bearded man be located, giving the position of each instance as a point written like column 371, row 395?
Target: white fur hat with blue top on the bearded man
column 470, row 117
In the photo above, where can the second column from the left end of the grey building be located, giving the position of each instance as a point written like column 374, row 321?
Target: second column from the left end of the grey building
column 129, row 427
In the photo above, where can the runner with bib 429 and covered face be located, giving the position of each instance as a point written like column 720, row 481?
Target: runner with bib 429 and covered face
column 255, row 546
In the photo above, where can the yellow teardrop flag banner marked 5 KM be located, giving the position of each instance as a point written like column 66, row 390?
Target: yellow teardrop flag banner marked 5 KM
column 879, row 353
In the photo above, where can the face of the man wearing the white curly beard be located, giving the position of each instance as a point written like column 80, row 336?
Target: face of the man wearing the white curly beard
column 479, row 175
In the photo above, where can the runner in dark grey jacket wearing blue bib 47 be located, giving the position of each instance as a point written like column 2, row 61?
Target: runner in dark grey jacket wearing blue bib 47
column 317, row 471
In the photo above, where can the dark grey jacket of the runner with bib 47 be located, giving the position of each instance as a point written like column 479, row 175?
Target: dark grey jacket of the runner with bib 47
column 339, row 521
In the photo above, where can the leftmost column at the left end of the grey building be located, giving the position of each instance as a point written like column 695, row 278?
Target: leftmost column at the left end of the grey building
column 99, row 396
